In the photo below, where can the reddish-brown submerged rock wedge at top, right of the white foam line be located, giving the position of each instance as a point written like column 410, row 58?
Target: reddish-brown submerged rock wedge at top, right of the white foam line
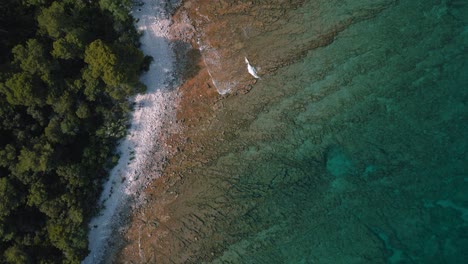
column 272, row 34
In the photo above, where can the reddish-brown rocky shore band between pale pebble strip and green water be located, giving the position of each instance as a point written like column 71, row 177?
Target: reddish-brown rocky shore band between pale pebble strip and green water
column 207, row 128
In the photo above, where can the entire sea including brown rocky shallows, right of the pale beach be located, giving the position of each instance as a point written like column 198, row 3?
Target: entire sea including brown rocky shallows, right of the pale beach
column 347, row 151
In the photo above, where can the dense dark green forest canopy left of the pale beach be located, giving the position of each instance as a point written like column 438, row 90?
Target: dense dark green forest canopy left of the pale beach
column 67, row 69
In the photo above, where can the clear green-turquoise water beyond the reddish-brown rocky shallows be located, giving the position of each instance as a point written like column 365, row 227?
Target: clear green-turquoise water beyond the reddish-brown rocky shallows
column 357, row 153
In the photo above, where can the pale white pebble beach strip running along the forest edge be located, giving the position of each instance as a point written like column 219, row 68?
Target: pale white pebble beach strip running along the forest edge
column 151, row 120
